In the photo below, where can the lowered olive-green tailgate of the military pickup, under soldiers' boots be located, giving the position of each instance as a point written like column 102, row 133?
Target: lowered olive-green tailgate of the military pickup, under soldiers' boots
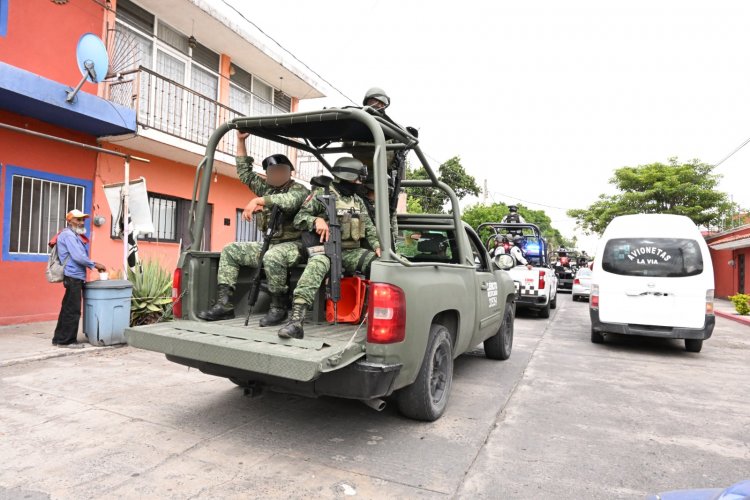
column 229, row 343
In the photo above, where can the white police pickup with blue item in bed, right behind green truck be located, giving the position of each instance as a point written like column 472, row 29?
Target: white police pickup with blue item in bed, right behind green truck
column 537, row 287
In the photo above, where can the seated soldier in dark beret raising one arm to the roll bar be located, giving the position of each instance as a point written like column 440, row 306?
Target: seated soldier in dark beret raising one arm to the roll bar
column 277, row 189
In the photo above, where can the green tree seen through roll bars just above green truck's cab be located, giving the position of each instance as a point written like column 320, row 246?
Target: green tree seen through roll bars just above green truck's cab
column 433, row 200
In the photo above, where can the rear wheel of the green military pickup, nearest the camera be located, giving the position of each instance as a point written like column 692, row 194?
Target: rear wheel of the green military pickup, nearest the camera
column 427, row 397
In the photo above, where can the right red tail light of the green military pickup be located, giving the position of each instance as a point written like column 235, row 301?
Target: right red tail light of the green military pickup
column 386, row 314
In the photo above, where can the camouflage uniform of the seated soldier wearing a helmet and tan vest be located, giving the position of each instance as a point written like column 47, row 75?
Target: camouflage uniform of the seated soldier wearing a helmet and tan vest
column 353, row 258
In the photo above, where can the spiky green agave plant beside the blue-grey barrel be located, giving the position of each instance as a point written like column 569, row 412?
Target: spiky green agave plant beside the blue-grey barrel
column 152, row 294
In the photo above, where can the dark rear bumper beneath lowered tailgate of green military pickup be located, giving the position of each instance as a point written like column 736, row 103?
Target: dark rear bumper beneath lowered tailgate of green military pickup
column 359, row 380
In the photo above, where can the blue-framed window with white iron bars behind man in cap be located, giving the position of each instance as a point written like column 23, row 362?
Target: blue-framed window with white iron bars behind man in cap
column 35, row 206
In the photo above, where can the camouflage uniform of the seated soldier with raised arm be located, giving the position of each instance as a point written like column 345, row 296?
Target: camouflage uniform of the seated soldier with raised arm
column 285, row 250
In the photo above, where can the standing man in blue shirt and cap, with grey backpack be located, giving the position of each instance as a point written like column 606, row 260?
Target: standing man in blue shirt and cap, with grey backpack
column 73, row 253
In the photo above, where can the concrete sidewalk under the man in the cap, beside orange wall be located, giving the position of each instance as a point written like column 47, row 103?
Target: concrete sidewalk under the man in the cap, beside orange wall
column 33, row 341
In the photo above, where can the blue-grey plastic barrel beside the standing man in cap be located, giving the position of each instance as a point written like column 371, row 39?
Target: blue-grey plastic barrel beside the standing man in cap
column 106, row 311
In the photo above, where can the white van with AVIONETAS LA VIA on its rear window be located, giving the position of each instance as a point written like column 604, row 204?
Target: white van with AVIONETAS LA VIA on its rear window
column 653, row 276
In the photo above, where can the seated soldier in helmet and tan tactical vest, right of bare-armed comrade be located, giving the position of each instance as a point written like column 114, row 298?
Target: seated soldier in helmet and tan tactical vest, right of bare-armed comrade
column 356, row 226
